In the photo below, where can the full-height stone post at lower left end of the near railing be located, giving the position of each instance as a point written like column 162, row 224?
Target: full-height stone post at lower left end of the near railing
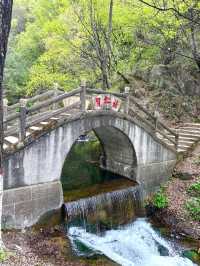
column 22, row 119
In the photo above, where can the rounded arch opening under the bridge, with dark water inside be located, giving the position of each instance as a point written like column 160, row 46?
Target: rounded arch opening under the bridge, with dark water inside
column 99, row 156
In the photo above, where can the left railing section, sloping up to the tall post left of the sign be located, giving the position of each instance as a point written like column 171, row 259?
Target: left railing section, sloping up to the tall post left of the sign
column 22, row 117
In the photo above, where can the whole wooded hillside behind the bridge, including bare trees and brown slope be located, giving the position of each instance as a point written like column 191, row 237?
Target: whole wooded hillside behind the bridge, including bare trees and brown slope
column 153, row 45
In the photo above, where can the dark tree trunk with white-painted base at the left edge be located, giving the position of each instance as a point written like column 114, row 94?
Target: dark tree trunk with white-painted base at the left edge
column 5, row 23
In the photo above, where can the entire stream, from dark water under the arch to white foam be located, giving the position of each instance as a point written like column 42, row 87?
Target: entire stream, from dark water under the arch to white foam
column 104, row 217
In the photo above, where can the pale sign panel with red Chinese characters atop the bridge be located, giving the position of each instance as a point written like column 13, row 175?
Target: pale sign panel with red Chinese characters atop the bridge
column 106, row 102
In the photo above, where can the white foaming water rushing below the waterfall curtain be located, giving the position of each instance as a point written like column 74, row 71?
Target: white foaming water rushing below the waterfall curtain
column 136, row 244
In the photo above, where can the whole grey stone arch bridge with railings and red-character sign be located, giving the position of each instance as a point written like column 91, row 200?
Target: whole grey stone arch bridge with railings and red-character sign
column 40, row 131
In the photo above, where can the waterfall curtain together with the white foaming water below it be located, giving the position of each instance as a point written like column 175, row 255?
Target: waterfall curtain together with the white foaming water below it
column 126, row 239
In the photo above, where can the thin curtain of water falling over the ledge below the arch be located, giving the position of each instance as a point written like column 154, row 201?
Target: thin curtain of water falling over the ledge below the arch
column 122, row 205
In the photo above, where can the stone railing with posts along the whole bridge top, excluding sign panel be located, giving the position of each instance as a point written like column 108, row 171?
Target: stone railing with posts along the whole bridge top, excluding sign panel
column 23, row 115
